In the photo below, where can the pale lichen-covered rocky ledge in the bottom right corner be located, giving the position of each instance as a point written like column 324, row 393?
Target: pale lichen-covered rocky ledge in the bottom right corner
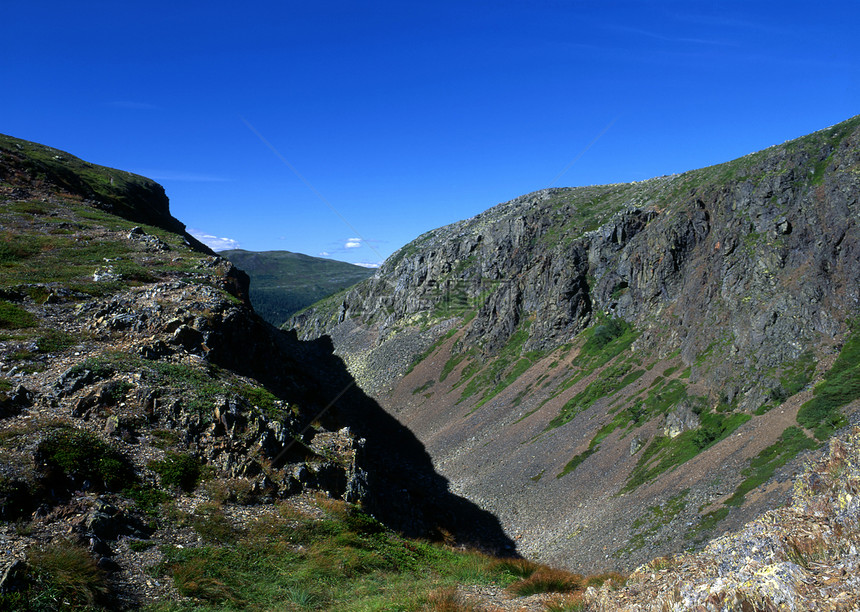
column 803, row 556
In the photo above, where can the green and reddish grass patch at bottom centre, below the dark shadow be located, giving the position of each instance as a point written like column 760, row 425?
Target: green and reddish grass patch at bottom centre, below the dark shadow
column 346, row 561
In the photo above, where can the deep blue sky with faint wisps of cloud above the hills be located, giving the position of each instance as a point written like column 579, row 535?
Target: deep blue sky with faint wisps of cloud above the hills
column 407, row 116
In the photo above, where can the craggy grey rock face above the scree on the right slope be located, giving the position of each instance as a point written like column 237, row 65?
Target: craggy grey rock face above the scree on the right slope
column 758, row 258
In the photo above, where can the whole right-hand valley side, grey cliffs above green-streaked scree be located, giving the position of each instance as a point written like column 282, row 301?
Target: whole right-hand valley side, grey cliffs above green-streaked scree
column 624, row 371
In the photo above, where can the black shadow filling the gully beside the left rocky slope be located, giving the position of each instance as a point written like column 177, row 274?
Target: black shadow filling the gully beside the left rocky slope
column 404, row 490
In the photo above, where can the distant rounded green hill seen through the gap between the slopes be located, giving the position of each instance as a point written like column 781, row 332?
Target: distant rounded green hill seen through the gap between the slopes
column 283, row 283
